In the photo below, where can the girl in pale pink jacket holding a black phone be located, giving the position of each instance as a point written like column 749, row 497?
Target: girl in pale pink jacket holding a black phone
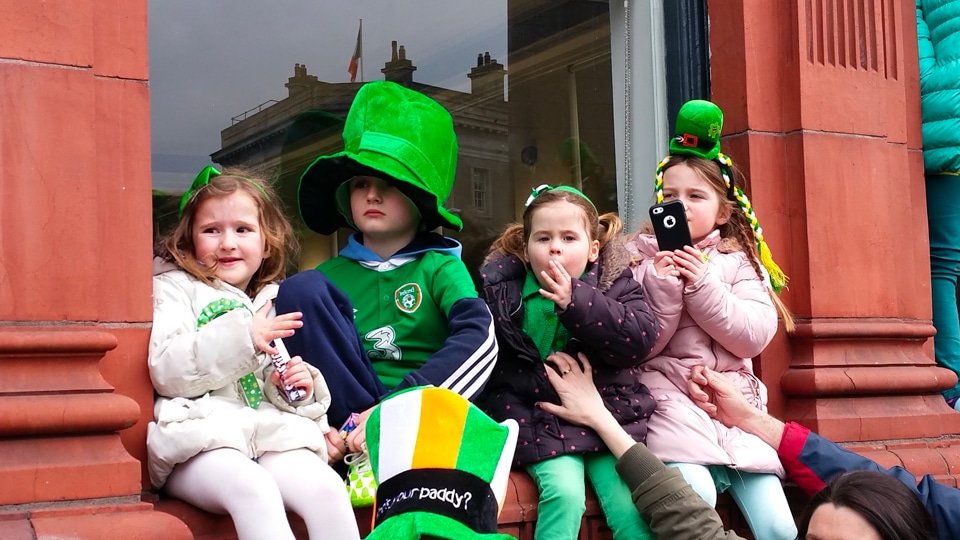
column 715, row 306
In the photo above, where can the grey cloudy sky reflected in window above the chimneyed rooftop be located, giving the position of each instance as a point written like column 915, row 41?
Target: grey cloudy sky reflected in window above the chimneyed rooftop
column 211, row 60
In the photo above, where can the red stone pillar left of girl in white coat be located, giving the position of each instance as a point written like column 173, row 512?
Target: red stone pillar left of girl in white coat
column 75, row 253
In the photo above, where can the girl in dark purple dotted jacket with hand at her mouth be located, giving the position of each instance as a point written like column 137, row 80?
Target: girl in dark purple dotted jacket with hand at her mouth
column 559, row 282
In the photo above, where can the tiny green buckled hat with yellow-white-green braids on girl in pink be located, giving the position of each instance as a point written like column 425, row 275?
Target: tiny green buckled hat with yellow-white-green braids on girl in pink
column 697, row 133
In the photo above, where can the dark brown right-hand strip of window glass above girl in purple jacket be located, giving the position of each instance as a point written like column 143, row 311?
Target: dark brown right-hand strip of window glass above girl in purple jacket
column 561, row 108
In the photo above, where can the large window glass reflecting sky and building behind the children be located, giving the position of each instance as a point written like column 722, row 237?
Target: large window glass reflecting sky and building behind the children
column 266, row 86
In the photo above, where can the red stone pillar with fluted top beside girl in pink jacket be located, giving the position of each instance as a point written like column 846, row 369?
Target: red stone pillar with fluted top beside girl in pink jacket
column 822, row 111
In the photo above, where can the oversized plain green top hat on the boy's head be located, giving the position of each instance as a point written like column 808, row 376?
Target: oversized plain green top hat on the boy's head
column 394, row 133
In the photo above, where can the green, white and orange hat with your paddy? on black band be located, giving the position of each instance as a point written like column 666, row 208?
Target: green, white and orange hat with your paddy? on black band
column 442, row 466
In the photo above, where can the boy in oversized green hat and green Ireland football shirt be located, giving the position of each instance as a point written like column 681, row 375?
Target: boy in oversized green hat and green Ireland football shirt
column 416, row 311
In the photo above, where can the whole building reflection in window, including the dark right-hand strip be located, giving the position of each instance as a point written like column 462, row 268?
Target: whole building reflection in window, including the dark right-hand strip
column 556, row 128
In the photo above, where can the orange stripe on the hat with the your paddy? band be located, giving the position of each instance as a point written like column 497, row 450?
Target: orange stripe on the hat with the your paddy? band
column 440, row 436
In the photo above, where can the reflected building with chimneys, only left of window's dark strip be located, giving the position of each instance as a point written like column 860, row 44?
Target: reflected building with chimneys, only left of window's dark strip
column 283, row 137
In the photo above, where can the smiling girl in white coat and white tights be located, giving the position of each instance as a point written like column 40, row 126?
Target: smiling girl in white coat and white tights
column 226, row 439
